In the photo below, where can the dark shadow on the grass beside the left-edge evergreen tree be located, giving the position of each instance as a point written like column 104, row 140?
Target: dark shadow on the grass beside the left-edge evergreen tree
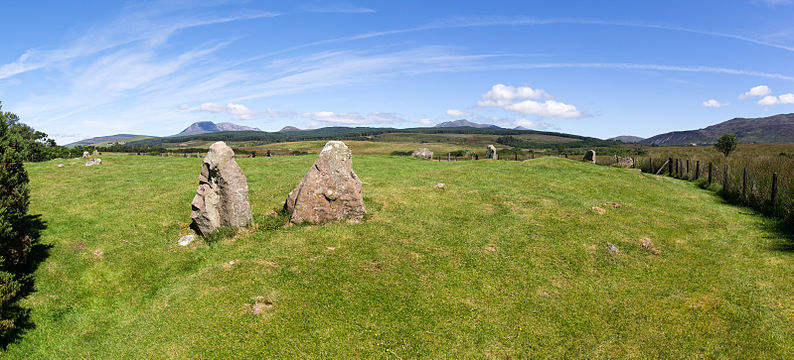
column 13, row 311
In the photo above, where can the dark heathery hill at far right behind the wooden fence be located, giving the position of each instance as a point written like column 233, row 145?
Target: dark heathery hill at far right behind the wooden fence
column 777, row 128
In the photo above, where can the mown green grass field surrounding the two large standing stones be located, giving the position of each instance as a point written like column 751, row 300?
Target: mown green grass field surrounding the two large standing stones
column 509, row 262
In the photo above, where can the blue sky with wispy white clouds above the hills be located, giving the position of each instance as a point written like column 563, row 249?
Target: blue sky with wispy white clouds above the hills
column 584, row 67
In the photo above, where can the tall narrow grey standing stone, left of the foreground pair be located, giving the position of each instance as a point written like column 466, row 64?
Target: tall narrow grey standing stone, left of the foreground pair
column 222, row 196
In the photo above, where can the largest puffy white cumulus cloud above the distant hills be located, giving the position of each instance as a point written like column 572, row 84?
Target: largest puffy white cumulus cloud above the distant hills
column 505, row 97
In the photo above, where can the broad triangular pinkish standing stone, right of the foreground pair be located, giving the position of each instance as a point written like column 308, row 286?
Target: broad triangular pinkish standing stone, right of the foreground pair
column 329, row 191
